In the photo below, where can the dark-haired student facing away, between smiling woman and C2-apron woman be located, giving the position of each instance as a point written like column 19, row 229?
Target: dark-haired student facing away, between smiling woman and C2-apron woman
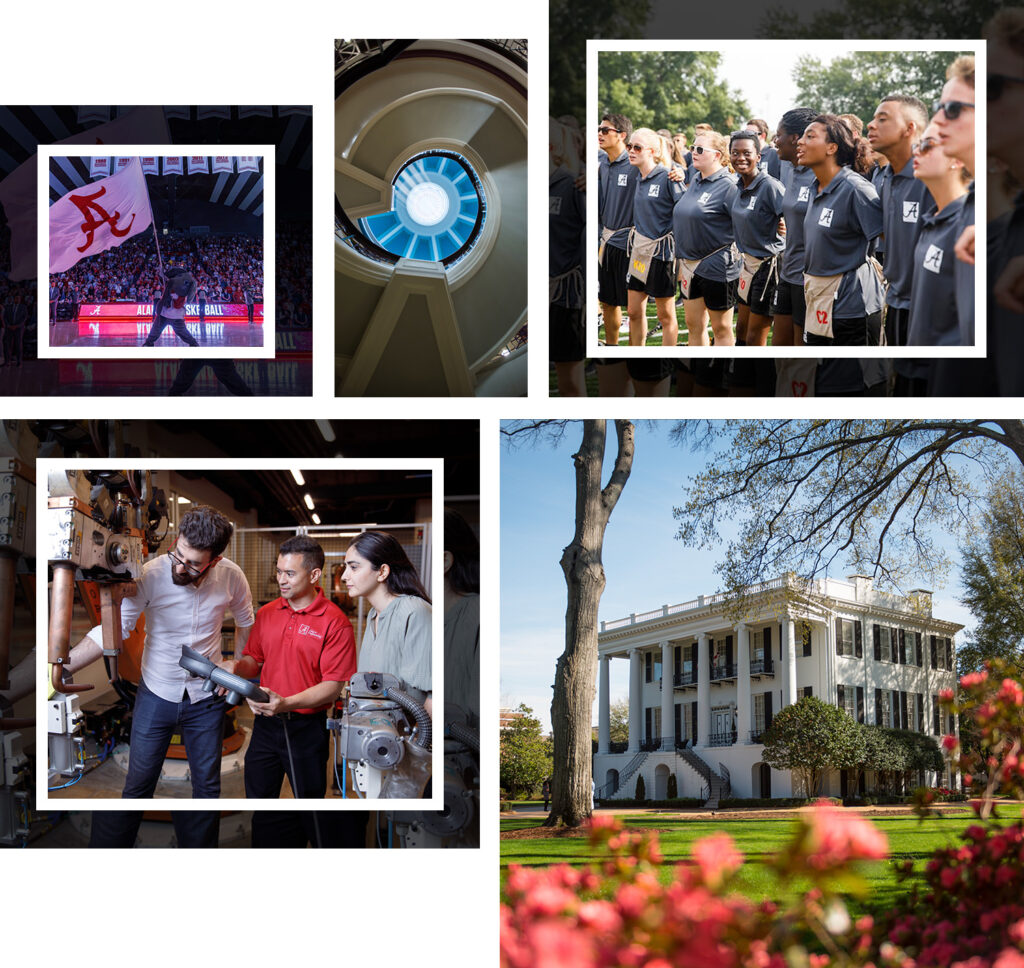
column 788, row 307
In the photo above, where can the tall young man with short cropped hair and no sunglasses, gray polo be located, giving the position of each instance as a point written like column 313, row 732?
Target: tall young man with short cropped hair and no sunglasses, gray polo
column 897, row 128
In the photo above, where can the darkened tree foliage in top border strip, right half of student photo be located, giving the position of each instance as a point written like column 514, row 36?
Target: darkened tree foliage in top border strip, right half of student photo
column 883, row 19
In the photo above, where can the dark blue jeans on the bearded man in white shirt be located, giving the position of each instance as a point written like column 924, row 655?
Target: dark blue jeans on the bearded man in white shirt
column 155, row 722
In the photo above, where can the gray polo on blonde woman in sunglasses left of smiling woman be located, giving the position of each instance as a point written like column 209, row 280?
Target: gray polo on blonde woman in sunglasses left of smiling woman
column 703, row 223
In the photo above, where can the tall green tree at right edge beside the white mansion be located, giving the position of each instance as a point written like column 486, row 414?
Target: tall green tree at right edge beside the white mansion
column 994, row 579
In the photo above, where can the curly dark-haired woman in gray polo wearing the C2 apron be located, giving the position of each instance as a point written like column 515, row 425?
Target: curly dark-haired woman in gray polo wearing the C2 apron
column 842, row 220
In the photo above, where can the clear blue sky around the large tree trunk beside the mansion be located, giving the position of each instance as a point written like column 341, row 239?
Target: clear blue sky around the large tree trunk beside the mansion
column 646, row 567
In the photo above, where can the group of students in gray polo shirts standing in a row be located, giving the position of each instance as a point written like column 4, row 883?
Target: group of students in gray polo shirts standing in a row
column 824, row 238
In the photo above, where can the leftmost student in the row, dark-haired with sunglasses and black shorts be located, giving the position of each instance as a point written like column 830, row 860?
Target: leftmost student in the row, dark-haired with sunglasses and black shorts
column 617, row 186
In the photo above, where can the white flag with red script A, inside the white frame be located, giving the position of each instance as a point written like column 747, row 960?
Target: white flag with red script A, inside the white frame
column 99, row 217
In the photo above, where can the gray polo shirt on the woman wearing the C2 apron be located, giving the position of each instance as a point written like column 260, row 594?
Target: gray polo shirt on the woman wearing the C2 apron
column 839, row 227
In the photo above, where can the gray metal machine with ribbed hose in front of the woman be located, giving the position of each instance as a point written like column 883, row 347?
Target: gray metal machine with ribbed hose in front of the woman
column 385, row 736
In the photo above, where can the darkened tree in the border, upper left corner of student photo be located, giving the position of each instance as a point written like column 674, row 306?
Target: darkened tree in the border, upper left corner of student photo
column 571, row 24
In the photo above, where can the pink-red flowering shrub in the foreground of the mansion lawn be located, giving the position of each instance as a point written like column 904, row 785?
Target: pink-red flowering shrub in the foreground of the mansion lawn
column 618, row 914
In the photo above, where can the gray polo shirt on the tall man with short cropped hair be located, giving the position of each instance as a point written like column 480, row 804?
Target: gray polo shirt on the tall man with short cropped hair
column 905, row 201
